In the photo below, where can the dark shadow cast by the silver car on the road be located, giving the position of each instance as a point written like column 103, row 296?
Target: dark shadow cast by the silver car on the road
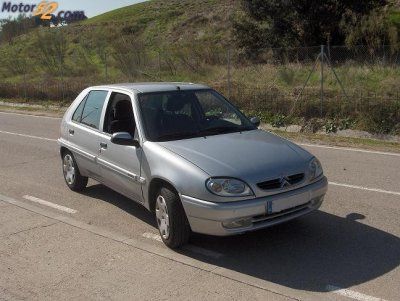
column 309, row 253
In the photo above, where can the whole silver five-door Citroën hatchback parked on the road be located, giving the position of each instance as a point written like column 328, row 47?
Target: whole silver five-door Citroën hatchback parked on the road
column 189, row 156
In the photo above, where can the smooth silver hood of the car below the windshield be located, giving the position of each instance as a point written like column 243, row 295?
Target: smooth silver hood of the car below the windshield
column 252, row 156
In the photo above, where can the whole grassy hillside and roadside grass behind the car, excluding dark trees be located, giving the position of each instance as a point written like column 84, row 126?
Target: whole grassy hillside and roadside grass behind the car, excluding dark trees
column 188, row 40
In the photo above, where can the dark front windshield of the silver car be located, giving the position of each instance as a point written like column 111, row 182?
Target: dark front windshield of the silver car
column 186, row 114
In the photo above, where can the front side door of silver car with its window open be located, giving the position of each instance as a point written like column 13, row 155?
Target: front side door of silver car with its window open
column 120, row 164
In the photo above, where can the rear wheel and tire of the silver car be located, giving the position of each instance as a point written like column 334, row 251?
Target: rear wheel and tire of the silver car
column 73, row 178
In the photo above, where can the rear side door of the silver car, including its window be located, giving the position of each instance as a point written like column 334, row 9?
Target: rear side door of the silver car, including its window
column 84, row 132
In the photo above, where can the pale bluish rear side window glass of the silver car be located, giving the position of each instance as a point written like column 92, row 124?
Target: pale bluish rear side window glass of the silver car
column 92, row 109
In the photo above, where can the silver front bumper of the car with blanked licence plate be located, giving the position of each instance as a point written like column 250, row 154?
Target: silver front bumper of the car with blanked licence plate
column 215, row 218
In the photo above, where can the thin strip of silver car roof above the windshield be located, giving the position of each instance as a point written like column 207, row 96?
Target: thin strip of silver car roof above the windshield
column 154, row 87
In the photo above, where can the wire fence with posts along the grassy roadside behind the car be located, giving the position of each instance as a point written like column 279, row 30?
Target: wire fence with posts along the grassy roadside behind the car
column 309, row 82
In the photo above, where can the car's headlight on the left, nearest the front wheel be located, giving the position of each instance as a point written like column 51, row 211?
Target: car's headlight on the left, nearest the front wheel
column 228, row 187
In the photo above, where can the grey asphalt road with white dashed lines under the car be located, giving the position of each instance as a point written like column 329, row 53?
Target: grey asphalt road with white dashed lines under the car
column 349, row 249
